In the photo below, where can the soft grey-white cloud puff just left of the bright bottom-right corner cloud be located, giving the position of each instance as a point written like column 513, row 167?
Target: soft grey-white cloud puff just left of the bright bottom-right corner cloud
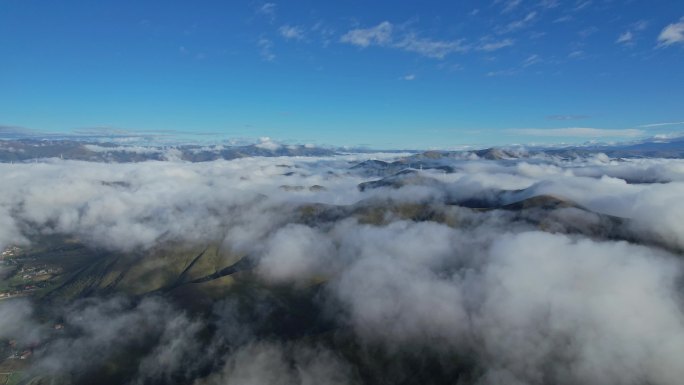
column 389, row 278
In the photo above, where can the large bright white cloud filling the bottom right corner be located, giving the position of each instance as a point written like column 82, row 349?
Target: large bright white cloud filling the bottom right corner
column 574, row 320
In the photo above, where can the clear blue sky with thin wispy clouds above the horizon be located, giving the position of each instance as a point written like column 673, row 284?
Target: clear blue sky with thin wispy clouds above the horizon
column 410, row 74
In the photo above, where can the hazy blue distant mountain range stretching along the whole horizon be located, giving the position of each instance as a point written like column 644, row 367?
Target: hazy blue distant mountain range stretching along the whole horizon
column 21, row 150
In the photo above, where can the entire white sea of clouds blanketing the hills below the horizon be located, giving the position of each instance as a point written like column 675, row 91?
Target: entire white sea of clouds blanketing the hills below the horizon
column 594, row 297
